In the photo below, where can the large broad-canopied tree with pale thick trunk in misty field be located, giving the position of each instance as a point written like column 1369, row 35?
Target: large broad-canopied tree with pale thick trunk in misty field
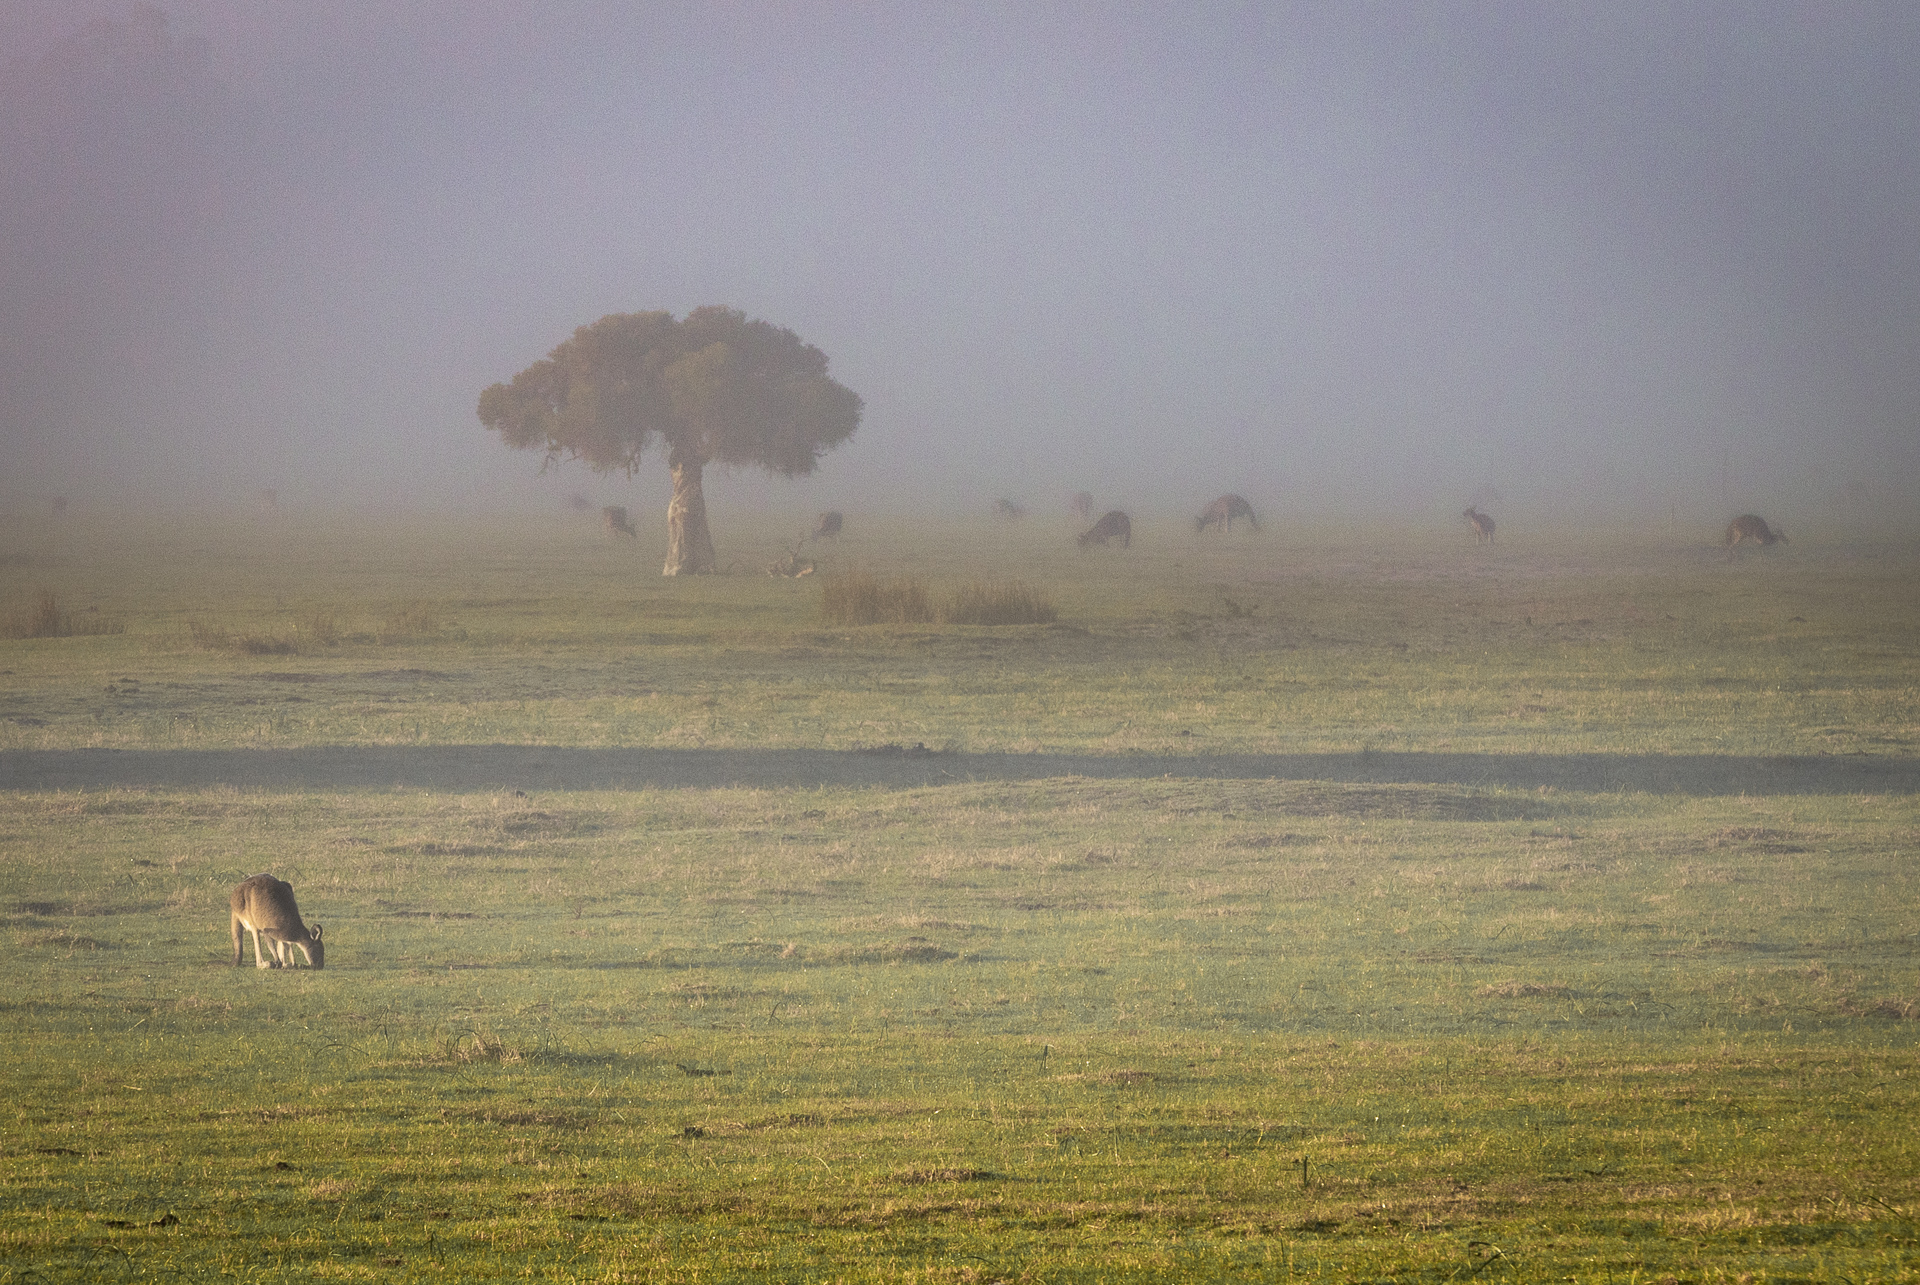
column 711, row 389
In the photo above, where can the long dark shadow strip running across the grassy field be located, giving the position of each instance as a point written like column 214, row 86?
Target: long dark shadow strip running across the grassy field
column 466, row 769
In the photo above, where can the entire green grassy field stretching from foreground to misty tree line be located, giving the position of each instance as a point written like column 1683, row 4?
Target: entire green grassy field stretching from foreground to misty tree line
column 1161, row 1011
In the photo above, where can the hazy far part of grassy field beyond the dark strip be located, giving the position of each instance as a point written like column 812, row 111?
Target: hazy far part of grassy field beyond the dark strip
column 1295, row 641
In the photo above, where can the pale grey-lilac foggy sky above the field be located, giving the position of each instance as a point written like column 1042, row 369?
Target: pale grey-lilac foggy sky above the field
column 1333, row 256
